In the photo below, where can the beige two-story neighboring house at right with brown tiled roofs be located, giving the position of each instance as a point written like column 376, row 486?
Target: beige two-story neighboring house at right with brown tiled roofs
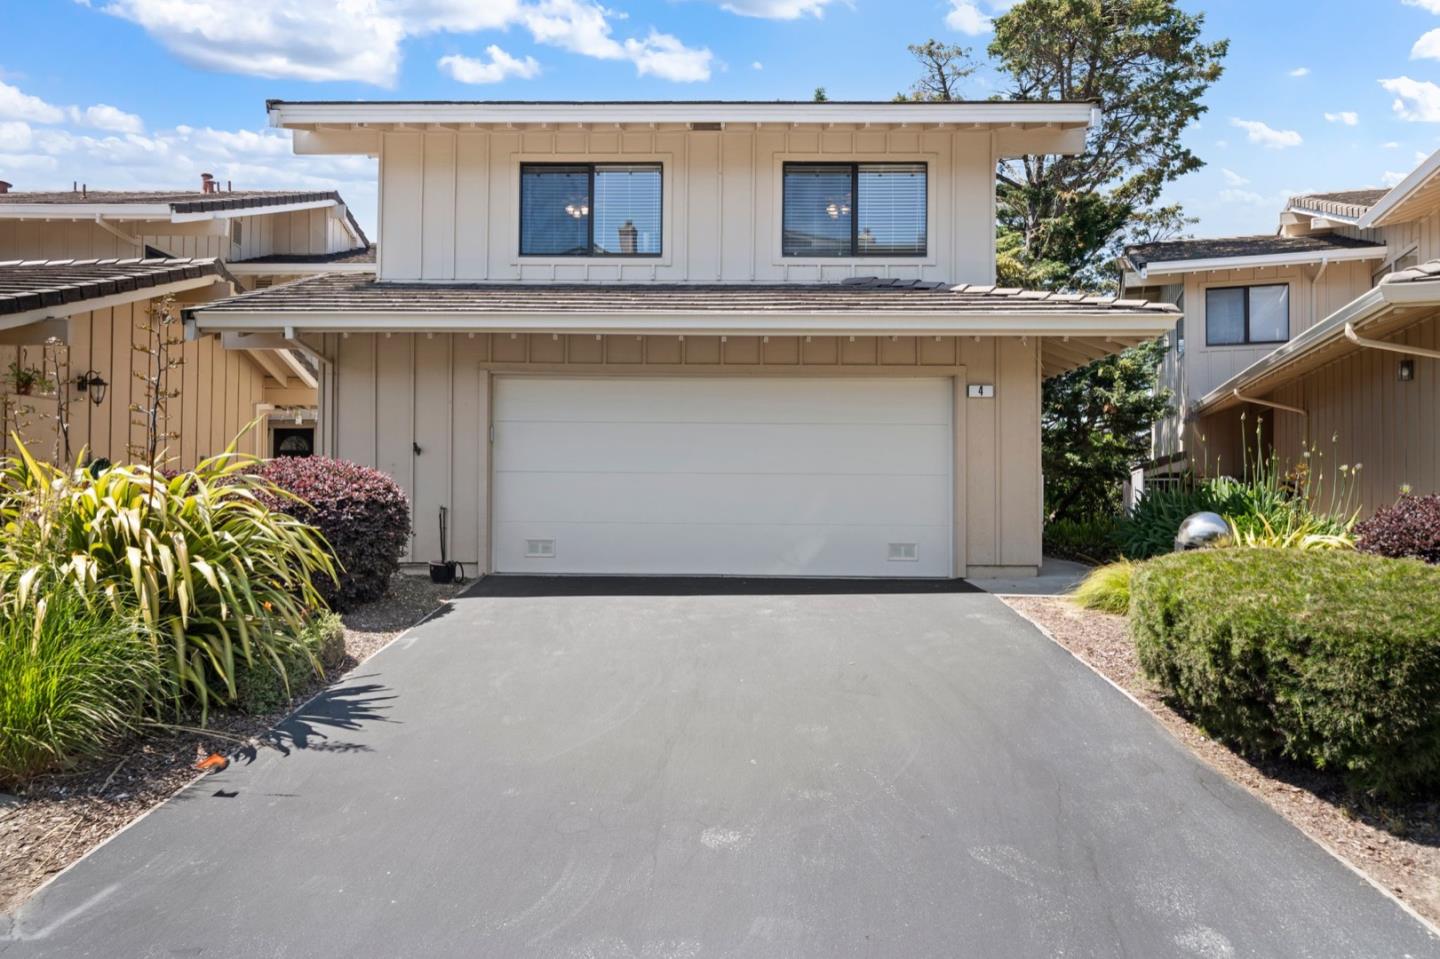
column 1326, row 333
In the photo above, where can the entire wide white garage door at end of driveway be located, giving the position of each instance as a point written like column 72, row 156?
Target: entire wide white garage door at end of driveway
column 724, row 476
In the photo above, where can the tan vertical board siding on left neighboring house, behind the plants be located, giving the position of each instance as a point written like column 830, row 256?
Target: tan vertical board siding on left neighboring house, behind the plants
column 220, row 391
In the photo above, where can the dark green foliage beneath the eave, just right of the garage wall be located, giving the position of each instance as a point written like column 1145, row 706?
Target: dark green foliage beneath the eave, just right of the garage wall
column 1095, row 427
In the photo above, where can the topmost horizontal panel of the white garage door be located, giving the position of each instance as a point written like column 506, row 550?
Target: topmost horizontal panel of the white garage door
column 725, row 400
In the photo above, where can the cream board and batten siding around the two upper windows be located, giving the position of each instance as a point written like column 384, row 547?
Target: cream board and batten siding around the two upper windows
column 450, row 205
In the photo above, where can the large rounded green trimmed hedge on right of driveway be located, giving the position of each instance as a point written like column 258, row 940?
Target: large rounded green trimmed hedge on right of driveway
column 1331, row 659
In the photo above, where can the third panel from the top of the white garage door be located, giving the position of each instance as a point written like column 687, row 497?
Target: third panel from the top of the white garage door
column 738, row 499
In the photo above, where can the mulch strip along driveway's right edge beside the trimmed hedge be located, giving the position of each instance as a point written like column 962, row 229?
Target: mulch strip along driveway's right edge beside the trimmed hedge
column 1395, row 845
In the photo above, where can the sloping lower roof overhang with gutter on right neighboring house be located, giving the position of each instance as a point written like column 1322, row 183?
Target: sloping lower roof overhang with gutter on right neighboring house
column 1383, row 310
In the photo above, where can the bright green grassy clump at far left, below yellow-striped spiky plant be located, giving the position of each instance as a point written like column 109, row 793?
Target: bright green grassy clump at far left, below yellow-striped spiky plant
column 73, row 680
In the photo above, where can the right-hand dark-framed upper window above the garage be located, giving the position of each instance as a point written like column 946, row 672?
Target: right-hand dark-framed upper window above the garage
column 855, row 210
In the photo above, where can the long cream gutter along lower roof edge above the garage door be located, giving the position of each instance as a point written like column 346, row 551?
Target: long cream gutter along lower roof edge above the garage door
column 711, row 323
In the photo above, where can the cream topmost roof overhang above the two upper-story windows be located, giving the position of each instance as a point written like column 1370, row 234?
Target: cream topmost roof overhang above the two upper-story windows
column 330, row 127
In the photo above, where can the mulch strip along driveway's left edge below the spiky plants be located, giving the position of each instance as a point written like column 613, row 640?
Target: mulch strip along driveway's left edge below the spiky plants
column 57, row 820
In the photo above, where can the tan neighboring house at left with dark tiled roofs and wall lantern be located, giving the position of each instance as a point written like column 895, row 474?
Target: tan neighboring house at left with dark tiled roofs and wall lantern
column 87, row 256
